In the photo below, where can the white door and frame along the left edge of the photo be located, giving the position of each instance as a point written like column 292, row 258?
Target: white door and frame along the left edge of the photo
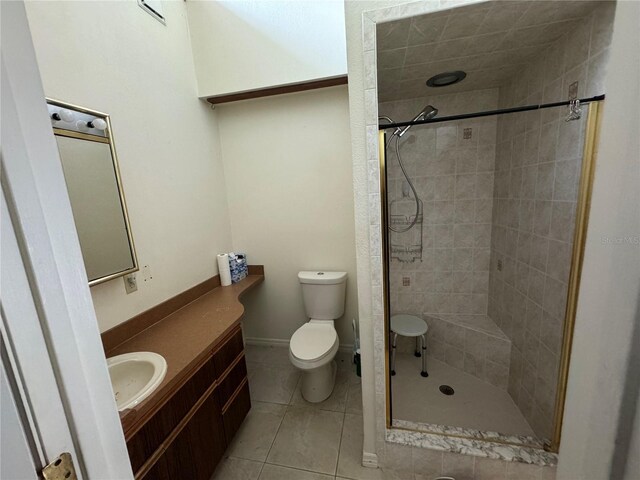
column 56, row 394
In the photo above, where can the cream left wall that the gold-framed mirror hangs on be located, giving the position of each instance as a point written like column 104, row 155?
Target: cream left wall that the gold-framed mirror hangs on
column 141, row 72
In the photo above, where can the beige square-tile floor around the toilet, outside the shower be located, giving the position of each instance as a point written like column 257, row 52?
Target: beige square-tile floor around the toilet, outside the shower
column 284, row 437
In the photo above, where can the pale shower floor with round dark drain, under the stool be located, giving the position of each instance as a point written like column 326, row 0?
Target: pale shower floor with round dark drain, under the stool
column 475, row 404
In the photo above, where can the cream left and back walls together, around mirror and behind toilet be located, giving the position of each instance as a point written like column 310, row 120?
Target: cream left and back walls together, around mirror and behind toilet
column 169, row 151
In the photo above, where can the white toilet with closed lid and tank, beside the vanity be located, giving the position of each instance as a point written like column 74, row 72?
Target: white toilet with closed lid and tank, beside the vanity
column 315, row 344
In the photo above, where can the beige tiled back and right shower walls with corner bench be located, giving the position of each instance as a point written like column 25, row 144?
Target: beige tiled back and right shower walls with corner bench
column 498, row 210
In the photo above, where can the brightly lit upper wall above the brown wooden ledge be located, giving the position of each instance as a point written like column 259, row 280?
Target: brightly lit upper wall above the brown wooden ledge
column 248, row 45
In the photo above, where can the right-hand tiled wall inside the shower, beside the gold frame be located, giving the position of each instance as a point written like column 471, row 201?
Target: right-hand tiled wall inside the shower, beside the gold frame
column 537, row 169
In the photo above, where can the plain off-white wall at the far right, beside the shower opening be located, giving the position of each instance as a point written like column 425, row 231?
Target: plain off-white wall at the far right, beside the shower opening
column 602, row 369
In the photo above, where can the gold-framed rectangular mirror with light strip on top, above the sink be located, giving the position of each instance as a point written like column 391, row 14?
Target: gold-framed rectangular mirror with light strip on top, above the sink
column 90, row 166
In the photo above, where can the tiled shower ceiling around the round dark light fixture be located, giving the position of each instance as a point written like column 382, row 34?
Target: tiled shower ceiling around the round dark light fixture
column 490, row 41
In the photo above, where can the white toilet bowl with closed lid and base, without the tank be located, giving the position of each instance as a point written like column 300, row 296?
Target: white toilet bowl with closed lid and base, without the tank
column 312, row 349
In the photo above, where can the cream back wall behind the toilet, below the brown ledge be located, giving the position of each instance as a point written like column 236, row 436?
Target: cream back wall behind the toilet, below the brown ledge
column 287, row 161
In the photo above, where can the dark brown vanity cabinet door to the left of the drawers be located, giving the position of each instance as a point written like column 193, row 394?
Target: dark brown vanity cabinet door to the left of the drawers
column 196, row 451
